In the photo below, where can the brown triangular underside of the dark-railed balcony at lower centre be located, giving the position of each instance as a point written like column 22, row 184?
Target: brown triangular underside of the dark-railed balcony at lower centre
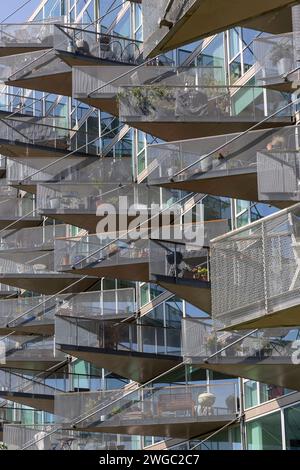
column 139, row 367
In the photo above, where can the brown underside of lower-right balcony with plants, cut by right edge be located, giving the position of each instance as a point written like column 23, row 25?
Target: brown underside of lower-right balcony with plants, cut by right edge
column 272, row 370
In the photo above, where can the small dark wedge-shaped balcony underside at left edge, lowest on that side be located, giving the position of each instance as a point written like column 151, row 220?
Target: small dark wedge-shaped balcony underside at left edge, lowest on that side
column 34, row 400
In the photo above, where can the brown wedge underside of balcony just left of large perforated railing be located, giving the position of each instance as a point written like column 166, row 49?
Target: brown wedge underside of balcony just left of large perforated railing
column 197, row 293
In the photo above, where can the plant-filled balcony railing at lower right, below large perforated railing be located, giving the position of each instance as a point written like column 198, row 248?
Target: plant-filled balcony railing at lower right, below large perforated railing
column 200, row 341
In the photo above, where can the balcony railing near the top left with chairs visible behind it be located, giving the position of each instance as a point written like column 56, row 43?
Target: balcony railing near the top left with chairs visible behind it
column 83, row 41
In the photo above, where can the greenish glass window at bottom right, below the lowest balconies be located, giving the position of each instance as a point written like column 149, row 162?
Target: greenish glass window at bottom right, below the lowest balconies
column 265, row 433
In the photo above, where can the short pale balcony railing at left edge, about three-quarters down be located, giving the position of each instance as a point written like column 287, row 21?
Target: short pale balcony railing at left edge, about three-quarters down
column 28, row 349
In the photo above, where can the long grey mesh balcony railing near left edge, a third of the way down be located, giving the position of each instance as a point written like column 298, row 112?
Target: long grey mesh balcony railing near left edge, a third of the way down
column 71, row 169
